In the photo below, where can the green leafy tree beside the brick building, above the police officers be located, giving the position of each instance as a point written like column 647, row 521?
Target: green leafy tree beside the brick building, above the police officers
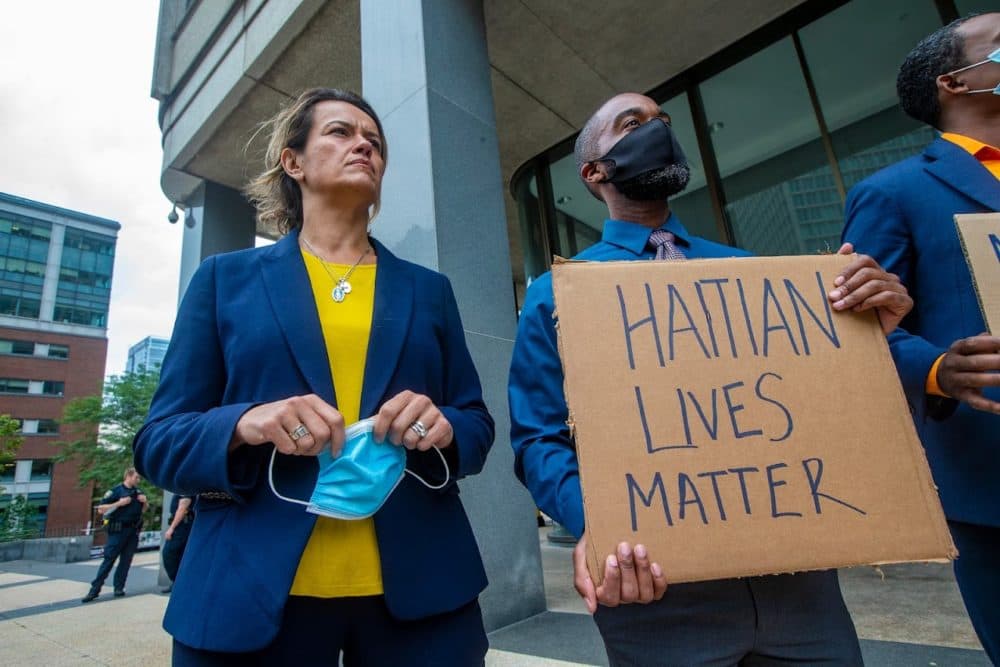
column 101, row 429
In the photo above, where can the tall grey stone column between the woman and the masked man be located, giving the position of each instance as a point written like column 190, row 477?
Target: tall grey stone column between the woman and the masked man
column 426, row 72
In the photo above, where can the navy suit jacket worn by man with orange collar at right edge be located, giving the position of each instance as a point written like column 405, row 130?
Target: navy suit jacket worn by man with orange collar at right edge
column 903, row 217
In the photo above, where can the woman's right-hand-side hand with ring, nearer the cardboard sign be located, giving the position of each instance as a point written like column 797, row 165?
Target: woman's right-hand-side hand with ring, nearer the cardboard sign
column 413, row 421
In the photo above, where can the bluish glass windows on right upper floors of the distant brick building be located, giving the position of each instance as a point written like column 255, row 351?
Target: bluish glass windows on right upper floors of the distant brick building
column 84, row 279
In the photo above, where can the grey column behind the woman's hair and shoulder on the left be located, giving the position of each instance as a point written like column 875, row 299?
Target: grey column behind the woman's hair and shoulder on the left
column 217, row 219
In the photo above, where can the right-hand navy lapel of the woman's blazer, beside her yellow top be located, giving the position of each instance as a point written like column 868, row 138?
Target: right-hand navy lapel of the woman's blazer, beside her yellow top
column 390, row 324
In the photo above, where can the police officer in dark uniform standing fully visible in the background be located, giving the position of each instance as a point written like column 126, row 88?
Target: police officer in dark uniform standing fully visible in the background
column 122, row 506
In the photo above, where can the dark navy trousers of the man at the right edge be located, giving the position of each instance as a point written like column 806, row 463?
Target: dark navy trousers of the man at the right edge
column 977, row 571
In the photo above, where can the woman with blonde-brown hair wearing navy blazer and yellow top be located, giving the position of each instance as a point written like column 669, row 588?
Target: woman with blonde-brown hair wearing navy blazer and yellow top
column 247, row 372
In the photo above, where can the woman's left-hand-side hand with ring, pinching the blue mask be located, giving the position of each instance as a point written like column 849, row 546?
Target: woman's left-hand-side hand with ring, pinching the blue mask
column 298, row 426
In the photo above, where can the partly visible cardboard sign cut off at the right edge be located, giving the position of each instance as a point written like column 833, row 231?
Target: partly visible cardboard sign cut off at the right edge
column 980, row 234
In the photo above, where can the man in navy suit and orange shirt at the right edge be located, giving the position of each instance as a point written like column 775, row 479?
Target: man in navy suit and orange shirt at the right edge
column 903, row 216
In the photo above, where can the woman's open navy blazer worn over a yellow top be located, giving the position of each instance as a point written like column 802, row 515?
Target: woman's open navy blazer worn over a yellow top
column 247, row 333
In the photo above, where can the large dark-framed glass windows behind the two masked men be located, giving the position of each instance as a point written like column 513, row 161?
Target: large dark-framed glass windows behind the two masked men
column 775, row 136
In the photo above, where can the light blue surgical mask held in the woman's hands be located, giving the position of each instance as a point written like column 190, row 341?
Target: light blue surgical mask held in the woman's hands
column 356, row 483
